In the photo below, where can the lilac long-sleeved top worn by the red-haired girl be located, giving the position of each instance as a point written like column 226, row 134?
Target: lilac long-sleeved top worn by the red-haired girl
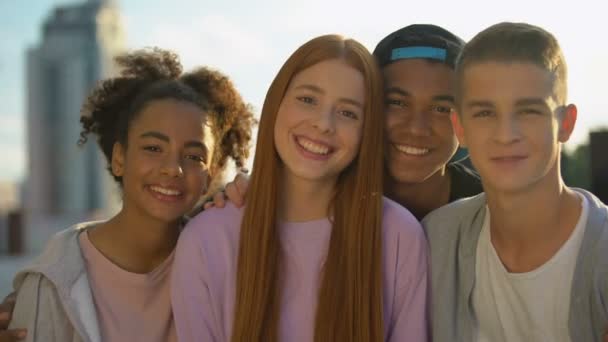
column 204, row 276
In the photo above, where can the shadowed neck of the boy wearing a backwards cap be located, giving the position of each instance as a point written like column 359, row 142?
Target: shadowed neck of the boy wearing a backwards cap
column 420, row 198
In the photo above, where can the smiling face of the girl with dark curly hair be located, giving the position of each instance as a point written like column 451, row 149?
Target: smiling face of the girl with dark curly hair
column 164, row 166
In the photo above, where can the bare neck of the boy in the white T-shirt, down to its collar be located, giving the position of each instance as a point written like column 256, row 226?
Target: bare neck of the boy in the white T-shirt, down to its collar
column 529, row 227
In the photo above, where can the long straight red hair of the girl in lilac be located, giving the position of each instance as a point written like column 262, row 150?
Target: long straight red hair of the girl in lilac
column 350, row 297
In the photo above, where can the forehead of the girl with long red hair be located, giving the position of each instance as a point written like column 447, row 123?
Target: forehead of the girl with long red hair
column 333, row 77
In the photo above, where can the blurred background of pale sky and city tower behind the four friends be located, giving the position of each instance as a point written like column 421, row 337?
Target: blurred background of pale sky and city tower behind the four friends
column 53, row 51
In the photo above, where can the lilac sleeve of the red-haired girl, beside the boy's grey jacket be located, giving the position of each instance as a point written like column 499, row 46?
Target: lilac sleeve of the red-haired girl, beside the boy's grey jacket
column 410, row 308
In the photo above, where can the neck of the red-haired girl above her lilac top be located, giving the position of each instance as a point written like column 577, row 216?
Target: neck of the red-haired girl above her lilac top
column 304, row 200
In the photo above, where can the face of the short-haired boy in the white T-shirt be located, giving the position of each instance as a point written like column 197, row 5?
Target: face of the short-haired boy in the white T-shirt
column 512, row 124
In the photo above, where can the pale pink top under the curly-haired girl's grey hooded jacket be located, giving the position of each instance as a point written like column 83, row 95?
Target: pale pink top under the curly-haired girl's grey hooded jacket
column 130, row 306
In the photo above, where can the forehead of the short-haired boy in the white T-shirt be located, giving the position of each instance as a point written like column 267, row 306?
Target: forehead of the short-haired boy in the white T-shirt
column 506, row 81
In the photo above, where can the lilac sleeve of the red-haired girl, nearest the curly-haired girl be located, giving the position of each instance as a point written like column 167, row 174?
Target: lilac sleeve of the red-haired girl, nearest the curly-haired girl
column 190, row 296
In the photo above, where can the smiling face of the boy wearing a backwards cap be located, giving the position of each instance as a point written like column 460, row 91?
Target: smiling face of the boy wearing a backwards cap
column 419, row 100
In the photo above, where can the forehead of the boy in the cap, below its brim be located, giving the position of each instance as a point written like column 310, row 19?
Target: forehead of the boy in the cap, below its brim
column 412, row 74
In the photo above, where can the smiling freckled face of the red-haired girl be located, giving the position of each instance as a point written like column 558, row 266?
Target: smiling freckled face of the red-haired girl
column 319, row 122
